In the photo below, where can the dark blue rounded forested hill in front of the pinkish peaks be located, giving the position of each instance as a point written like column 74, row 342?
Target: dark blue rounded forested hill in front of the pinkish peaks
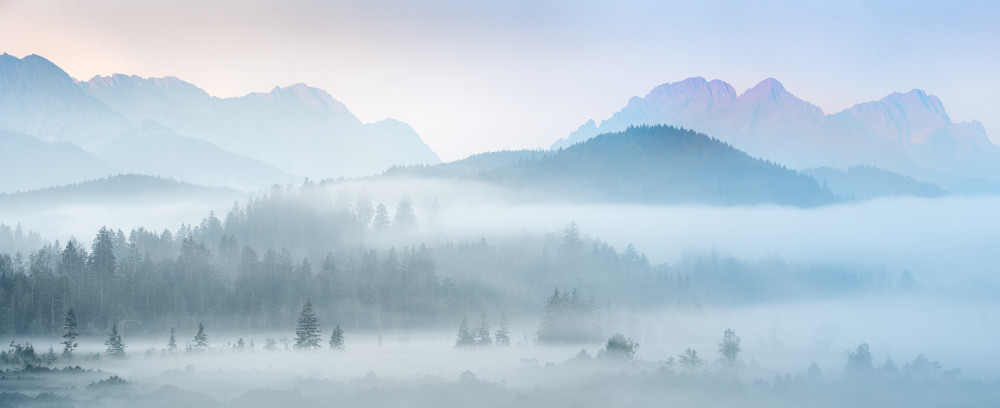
column 659, row 165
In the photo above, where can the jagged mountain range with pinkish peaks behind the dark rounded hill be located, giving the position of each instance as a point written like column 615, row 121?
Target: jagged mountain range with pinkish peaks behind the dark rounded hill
column 909, row 133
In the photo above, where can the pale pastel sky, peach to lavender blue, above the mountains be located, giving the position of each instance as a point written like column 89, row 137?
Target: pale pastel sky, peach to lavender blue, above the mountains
column 473, row 76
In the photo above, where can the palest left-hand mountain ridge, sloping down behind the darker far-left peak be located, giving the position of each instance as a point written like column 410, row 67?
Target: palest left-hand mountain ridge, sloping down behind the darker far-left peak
column 298, row 128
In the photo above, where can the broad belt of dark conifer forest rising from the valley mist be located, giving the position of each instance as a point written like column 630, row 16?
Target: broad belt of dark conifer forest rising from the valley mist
column 252, row 269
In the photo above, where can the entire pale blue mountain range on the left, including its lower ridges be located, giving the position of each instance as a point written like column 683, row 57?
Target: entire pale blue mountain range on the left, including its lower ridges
column 170, row 128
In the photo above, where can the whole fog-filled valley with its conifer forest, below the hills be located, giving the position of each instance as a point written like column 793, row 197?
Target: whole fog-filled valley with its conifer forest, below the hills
column 856, row 303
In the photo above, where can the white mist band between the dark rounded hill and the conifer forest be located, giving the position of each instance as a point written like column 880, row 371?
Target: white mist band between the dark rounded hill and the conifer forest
column 947, row 240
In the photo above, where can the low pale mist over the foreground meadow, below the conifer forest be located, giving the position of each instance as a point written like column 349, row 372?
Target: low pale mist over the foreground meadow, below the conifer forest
column 937, row 348
